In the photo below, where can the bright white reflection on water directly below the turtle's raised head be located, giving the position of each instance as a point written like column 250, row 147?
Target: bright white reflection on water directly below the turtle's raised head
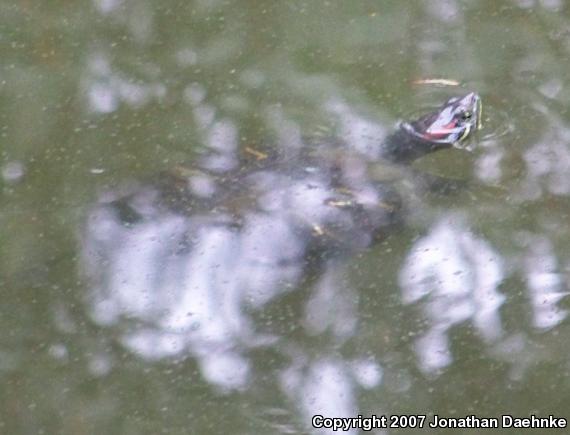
column 456, row 275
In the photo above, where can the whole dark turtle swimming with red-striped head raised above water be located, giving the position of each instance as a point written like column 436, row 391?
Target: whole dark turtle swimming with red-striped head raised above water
column 331, row 198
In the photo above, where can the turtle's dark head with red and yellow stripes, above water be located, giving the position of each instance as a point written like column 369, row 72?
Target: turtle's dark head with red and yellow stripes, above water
column 449, row 125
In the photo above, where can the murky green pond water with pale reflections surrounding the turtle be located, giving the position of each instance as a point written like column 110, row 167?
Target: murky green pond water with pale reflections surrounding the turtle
column 107, row 328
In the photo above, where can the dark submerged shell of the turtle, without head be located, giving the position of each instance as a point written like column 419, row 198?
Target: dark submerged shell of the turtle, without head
column 323, row 196
